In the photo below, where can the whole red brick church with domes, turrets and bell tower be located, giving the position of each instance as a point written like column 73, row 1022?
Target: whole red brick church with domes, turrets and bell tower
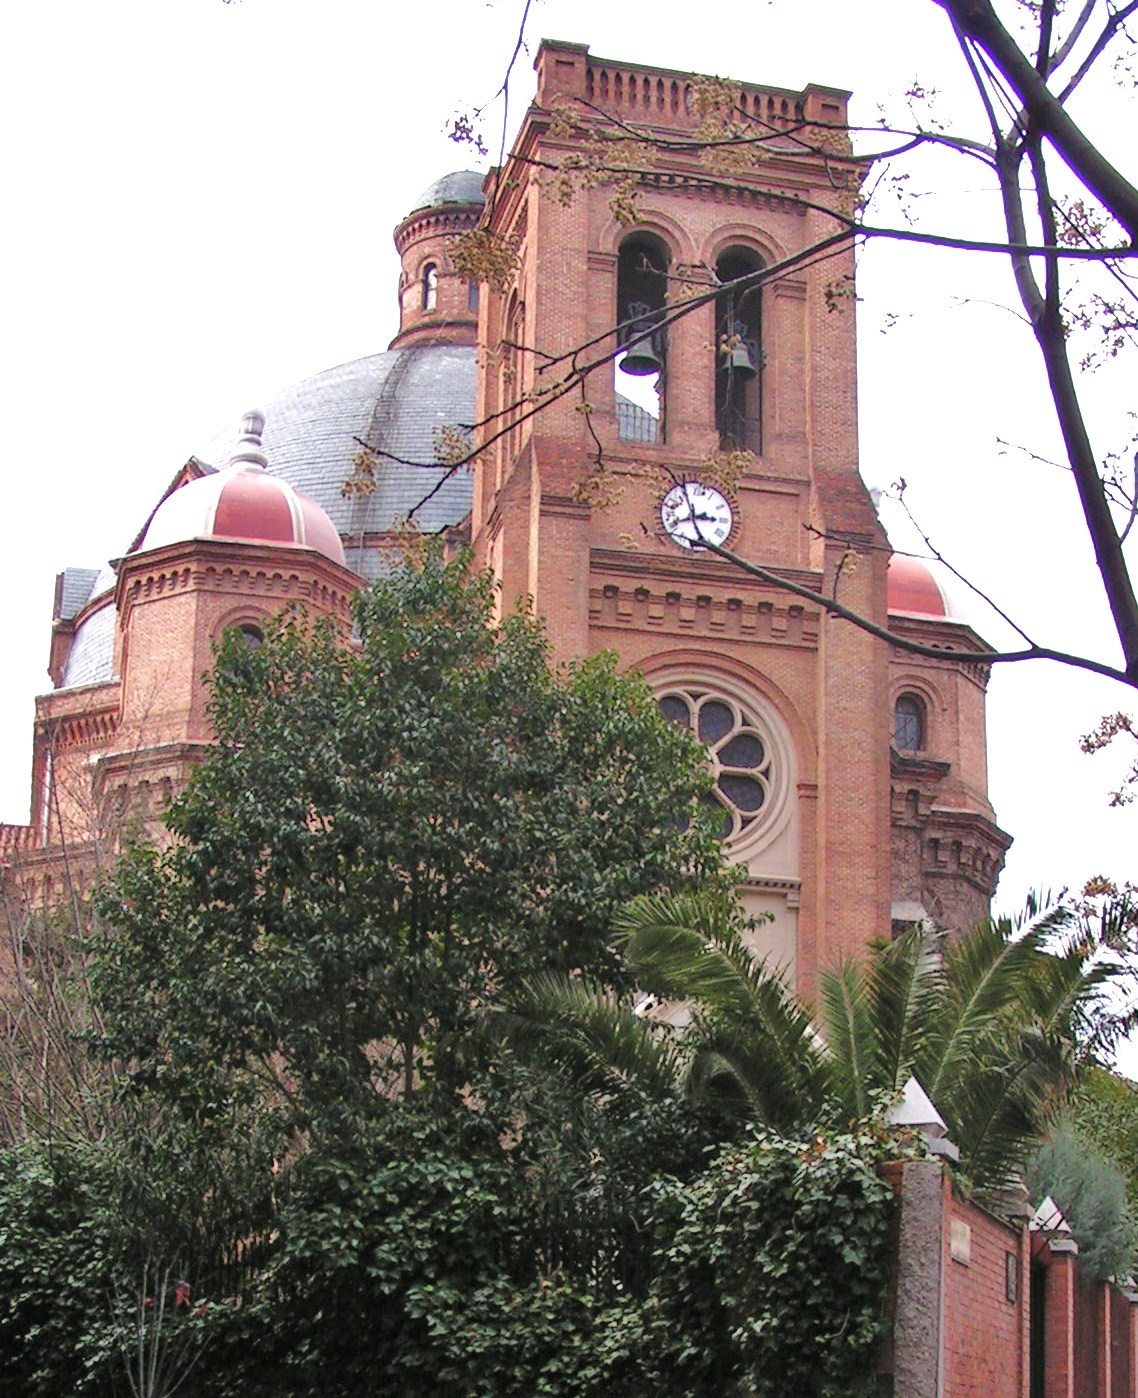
column 655, row 353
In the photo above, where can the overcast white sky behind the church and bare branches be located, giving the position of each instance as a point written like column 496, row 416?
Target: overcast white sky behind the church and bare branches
column 201, row 201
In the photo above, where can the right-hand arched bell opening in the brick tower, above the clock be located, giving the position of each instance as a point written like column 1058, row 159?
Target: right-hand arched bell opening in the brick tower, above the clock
column 739, row 352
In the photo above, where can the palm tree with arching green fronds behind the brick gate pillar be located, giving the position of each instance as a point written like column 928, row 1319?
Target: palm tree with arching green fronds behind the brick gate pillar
column 993, row 1025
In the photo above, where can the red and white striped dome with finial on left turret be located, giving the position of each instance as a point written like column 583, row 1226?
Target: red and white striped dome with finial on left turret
column 245, row 504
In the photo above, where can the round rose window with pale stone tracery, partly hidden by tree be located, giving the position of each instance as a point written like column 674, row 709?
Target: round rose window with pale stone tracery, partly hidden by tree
column 737, row 751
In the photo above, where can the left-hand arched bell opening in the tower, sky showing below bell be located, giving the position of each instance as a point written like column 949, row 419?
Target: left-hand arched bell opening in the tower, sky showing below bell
column 641, row 370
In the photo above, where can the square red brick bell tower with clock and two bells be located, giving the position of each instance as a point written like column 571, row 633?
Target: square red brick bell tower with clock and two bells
column 588, row 505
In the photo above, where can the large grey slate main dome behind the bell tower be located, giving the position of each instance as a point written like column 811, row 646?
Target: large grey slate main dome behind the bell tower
column 395, row 402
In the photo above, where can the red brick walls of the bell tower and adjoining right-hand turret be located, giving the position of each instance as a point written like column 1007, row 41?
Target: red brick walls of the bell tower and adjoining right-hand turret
column 609, row 578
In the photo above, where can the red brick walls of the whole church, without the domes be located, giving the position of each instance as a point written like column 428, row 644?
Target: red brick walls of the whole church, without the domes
column 844, row 838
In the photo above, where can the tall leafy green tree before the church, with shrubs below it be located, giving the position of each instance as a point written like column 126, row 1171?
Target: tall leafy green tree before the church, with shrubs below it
column 289, row 1006
